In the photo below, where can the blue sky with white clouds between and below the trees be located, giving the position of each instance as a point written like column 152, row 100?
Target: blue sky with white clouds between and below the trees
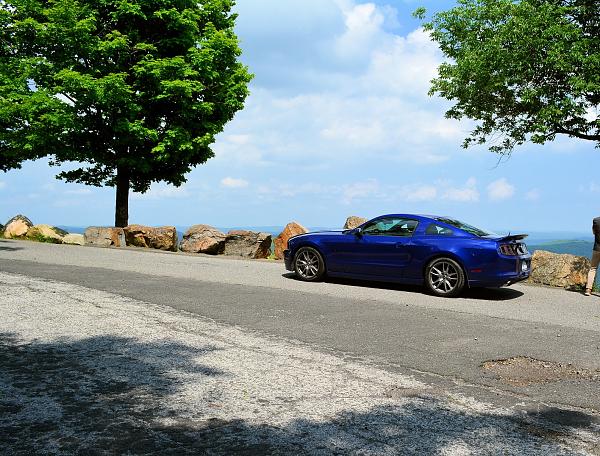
column 339, row 123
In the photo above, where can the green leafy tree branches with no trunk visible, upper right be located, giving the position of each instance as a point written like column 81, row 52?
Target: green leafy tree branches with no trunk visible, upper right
column 524, row 70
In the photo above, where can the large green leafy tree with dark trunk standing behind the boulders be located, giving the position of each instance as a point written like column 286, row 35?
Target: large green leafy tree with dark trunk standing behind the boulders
column 133, row 91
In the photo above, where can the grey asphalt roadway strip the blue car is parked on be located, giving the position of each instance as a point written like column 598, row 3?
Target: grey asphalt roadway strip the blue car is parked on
column 440, row 341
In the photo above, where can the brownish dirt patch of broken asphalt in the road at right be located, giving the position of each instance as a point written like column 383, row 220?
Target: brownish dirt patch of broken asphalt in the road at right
column 524, row 371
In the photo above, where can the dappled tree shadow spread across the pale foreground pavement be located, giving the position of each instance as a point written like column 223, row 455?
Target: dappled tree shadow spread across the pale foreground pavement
column 106, row 395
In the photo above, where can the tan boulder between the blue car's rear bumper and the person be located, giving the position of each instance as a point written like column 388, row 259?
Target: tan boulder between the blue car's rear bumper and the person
column 559, row 270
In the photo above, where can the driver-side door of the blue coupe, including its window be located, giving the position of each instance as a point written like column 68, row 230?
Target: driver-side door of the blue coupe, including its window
column 382, row 248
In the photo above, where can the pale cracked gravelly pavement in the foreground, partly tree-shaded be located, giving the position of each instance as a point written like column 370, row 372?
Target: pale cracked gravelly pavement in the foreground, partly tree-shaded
column 90, row 372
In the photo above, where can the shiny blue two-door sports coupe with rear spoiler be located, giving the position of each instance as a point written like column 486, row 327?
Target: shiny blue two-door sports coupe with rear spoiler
column 442, row 253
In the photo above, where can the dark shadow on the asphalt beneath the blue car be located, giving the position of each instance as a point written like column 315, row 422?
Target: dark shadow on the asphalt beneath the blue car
column 484, row 294
